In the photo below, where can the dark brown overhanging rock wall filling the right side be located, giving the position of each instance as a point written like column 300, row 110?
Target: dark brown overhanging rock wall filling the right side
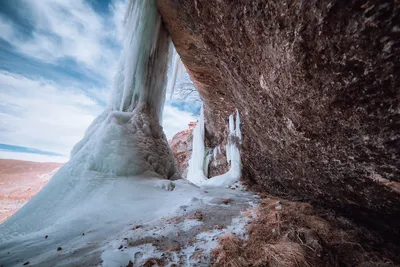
column 317, row 86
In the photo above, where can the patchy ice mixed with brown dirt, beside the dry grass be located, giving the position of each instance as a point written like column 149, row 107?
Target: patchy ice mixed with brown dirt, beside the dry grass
column 188, row 239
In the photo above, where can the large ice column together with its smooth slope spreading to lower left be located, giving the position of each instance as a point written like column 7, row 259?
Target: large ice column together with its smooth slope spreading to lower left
column 114, row 169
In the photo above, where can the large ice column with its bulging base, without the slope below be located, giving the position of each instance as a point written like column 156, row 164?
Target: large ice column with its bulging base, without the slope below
column 127, row 138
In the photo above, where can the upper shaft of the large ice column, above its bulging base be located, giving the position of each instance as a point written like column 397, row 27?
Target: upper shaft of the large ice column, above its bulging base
column 142, row 71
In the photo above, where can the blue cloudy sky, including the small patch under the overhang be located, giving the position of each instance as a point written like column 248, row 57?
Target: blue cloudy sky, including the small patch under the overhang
column 57, row 63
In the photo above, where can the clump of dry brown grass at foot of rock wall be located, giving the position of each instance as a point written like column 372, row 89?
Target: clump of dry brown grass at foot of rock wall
column 301, row 239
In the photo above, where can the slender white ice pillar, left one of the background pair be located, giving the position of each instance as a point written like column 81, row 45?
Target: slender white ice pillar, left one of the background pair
column 196, row 162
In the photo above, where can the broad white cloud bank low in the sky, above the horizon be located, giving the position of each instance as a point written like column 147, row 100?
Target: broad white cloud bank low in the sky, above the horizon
column 44, row 116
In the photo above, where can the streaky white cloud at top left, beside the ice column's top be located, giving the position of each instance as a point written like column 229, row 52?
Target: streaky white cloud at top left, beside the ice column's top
column 69, row 29
